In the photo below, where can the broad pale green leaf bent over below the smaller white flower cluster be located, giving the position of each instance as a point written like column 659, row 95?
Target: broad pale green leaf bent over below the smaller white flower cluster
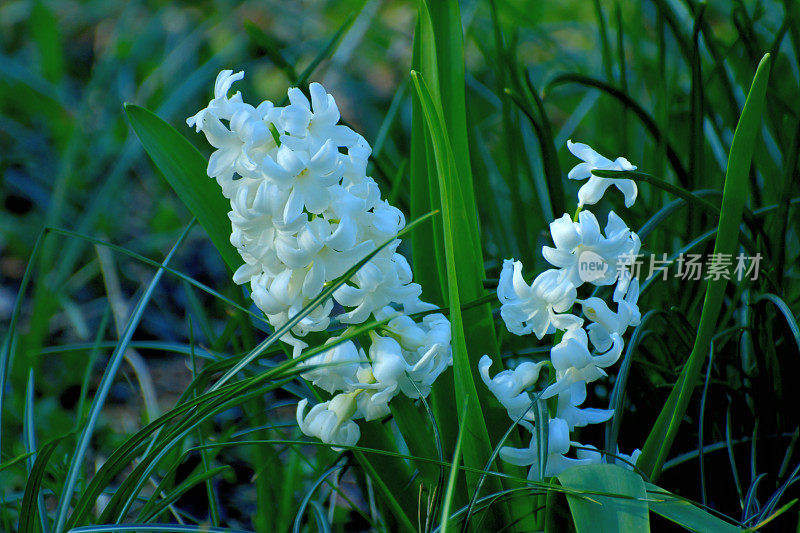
column 621, row 507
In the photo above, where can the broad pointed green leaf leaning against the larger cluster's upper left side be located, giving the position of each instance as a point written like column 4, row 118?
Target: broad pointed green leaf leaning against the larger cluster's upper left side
column 184, row 168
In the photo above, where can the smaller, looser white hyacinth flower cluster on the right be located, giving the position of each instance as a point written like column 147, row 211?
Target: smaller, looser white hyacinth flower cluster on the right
column 582, row 255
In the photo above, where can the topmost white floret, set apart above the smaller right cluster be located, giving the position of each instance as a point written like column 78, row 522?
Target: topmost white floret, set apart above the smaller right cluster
column 592, row 191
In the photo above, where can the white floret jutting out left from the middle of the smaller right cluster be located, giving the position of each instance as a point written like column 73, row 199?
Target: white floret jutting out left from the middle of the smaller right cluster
column 538, row 308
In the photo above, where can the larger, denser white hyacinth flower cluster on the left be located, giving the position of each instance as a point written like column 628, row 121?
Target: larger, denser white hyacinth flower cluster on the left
column 304, row 211
